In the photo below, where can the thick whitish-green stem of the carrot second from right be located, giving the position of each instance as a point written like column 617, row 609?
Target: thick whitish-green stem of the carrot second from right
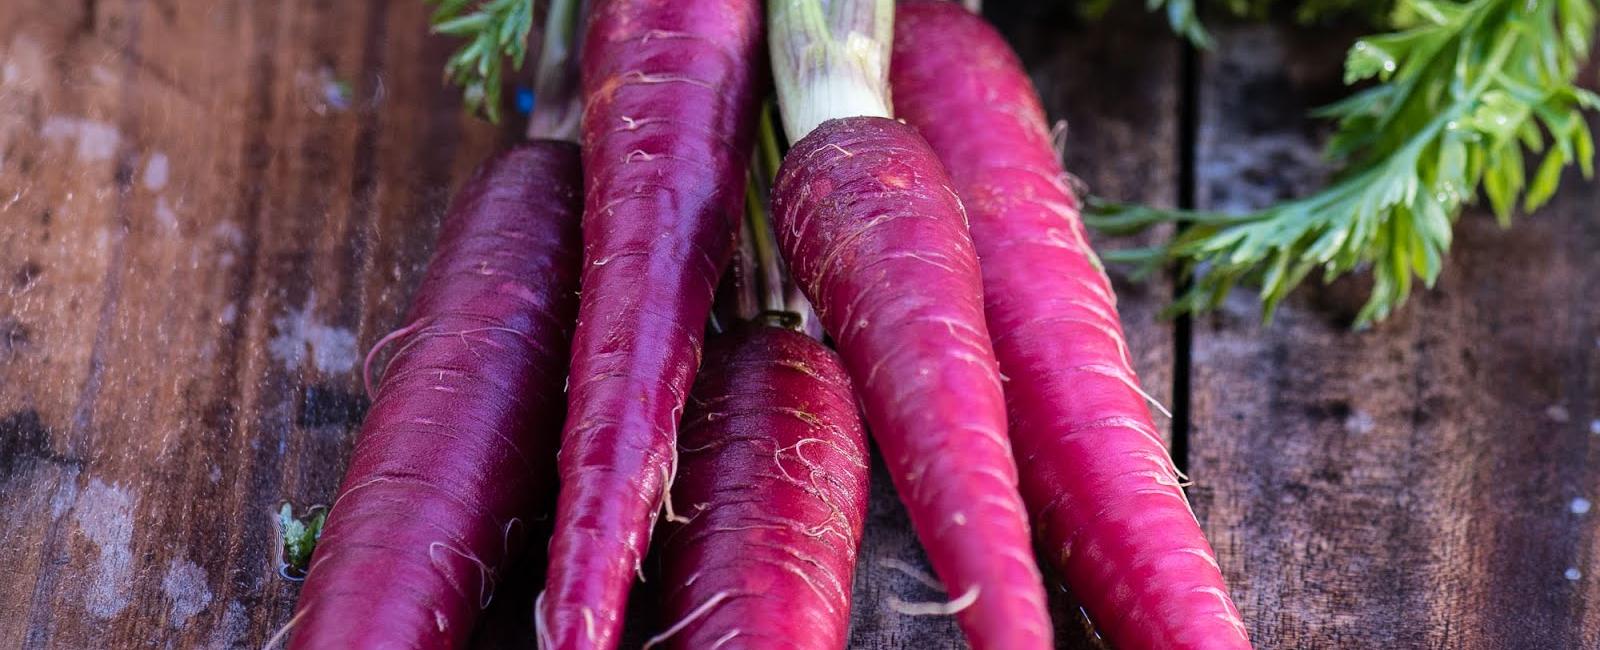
column 830, row 62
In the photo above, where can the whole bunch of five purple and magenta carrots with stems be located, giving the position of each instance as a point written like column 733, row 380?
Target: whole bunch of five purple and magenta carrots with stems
column 678, row 332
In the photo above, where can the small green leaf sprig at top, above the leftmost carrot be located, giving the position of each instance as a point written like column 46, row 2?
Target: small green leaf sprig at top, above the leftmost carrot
column 494, row 31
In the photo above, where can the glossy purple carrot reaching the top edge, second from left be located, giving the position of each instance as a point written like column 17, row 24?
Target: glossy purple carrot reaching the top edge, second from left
column 671, row 97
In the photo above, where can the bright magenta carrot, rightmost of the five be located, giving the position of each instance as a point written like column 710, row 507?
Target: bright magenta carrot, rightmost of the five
column 1103, row 491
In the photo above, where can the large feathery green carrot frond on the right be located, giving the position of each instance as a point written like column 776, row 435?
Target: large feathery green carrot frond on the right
column 1460, row 98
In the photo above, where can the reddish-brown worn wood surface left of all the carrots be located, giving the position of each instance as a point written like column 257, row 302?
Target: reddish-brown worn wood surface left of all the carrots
column 209, row 212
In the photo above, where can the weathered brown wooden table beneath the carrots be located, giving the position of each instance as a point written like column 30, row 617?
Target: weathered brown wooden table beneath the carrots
column 209, row 211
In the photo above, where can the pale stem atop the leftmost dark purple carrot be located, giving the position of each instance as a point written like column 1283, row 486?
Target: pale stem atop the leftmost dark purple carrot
column 558, row 106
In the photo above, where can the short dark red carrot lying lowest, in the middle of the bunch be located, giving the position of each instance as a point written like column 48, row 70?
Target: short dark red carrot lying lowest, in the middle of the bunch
column 774, row 478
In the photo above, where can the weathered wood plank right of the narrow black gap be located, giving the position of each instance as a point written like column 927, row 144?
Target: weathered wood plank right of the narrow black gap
column 1423, row 484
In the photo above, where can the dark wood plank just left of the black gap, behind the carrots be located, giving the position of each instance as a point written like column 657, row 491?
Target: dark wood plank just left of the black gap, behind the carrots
column 1121, row 105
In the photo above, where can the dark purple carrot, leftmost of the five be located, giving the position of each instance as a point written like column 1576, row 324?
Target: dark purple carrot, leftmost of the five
column 458, row 451
